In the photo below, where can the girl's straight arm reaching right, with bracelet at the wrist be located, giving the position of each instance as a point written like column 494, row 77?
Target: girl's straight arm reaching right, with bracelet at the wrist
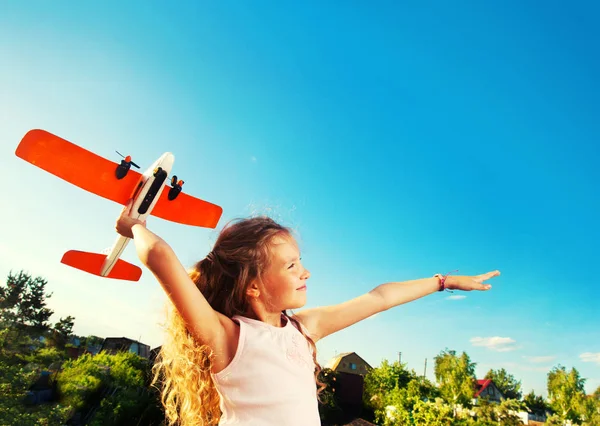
column 326, row 320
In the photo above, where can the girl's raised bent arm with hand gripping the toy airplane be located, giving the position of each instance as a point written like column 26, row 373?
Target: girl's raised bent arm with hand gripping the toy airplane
column 208, row 326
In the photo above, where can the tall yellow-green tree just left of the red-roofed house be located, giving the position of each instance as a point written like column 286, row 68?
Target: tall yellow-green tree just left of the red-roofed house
column 456, row 376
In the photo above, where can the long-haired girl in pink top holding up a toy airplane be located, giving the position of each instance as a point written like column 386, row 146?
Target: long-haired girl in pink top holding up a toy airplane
column 233, row 354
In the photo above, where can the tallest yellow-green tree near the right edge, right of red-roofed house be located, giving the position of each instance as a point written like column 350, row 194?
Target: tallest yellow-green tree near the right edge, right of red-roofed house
column 565, row 392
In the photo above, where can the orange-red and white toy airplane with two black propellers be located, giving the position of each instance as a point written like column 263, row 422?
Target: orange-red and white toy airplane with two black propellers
column 116, row 182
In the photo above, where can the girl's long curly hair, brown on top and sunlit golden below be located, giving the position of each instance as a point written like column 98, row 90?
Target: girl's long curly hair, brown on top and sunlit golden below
column 183, row 366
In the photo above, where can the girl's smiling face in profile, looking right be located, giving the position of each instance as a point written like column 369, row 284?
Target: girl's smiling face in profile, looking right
column 284, row 281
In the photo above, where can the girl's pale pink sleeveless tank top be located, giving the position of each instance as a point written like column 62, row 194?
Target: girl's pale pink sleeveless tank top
column 270, row 380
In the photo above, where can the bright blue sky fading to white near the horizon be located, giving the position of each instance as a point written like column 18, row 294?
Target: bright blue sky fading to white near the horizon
column 399, row 141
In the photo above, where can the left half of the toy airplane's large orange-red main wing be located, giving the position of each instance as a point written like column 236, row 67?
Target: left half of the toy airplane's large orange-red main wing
column 76, row 165
